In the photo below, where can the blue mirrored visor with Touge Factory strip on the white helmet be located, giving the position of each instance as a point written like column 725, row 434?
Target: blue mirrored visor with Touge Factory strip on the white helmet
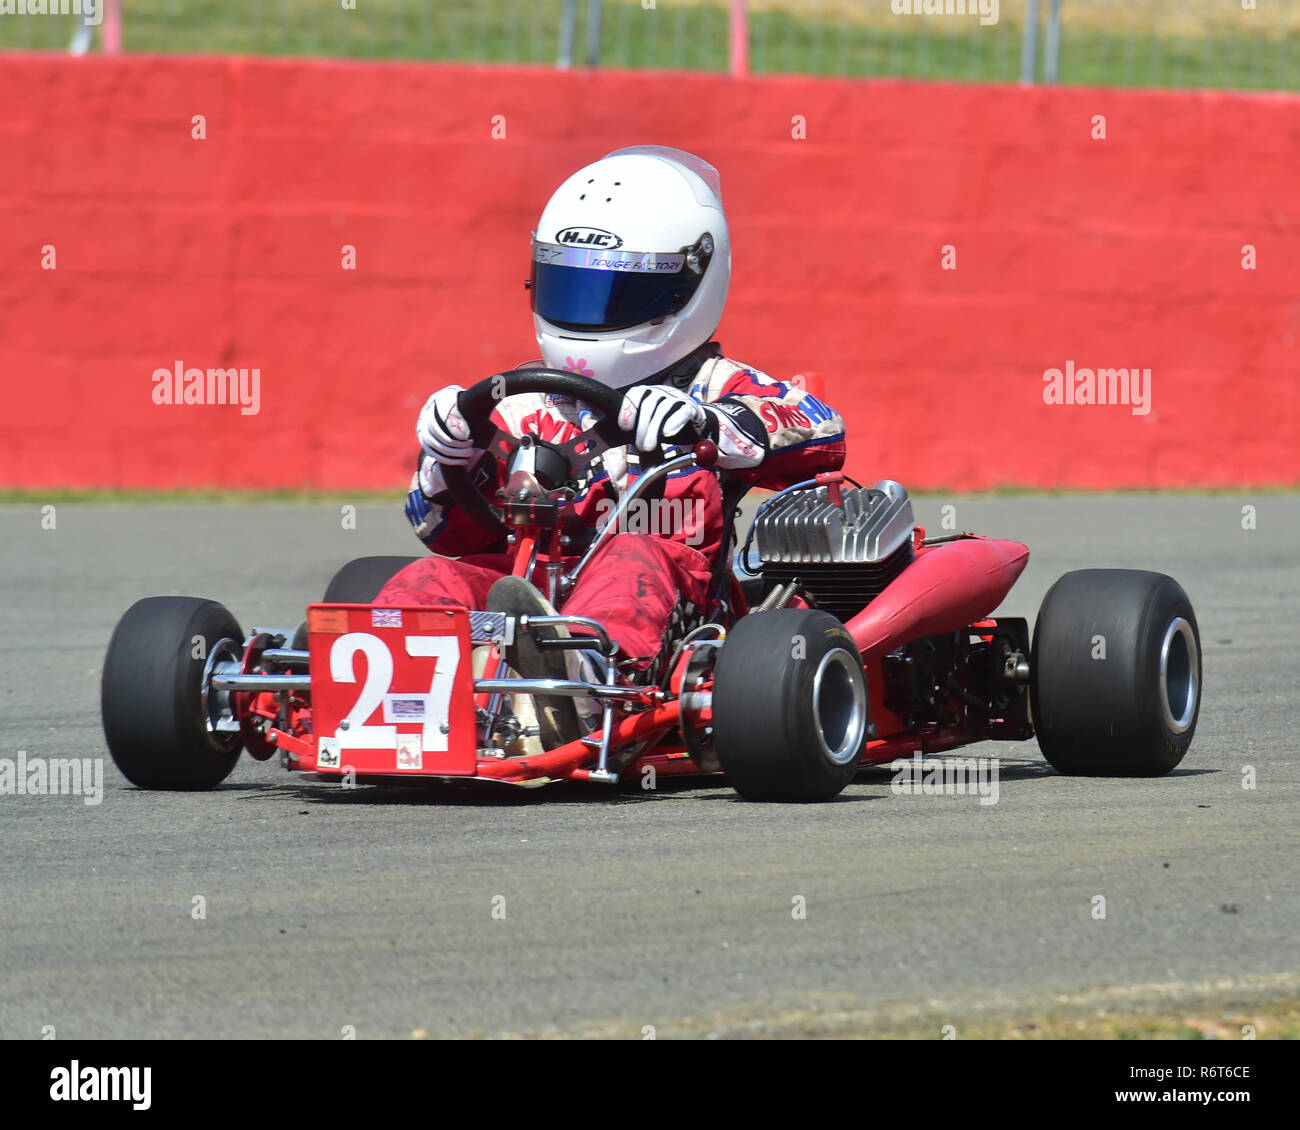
column 595, row 291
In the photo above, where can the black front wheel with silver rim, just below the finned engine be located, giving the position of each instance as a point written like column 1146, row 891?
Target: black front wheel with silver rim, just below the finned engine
column 790, row 707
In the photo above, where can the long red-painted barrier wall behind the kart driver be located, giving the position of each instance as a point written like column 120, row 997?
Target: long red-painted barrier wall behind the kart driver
column 227, row 252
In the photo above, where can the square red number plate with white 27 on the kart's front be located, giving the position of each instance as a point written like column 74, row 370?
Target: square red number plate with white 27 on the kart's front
column 392, row 691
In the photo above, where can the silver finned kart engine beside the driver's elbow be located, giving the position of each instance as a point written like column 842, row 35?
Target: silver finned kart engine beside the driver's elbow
column 844, row 556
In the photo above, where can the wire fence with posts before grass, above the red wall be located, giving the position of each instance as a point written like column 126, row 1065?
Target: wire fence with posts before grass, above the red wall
column 1182, row 44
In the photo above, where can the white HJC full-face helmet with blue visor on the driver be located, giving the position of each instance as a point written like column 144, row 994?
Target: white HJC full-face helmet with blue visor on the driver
column 631, row 266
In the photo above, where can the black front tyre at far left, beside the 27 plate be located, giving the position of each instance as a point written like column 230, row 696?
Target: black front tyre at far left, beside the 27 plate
column 151, row 694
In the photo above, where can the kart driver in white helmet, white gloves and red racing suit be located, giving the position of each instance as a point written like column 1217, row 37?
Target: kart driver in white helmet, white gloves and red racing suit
column 631, row 271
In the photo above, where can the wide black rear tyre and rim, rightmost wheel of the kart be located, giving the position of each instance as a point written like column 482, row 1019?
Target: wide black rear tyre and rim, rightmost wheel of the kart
column 1116, row 682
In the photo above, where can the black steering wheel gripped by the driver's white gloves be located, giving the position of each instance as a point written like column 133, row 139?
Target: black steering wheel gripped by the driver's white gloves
column 476, row 405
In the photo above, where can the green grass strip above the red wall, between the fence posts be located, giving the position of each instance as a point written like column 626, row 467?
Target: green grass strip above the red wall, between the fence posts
column 691, row 37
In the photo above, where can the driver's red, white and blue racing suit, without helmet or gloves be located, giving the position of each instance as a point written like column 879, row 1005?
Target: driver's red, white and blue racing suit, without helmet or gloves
column 660, row 565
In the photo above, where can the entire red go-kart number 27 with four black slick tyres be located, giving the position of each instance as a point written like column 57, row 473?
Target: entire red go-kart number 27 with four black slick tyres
column 838, row 635
